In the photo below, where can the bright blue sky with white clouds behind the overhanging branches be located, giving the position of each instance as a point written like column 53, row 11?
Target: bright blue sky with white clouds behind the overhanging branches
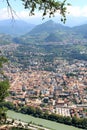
column 77, row 13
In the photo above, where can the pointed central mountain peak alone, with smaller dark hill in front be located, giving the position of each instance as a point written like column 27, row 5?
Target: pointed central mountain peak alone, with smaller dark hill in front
column 46, row 32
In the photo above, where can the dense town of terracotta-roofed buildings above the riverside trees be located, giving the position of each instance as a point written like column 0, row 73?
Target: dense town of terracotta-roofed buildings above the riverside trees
column 62, row 92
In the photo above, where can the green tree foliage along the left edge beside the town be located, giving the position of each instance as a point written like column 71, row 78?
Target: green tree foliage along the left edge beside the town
column 4, row 86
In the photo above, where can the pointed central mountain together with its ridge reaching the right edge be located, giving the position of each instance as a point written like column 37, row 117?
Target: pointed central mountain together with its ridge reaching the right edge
column 51, row 32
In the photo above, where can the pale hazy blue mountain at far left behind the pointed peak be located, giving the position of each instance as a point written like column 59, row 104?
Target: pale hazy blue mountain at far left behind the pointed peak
column 16, row 27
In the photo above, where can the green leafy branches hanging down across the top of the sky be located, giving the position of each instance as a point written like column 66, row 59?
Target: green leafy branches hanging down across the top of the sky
column 48, row 7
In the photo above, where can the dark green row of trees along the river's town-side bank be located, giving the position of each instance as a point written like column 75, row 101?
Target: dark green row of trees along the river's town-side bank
column 37, row 112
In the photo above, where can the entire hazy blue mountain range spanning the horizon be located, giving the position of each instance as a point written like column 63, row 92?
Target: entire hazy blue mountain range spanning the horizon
column 48, row 32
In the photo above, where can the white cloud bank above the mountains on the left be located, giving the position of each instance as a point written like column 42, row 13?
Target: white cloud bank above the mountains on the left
column 24, row 14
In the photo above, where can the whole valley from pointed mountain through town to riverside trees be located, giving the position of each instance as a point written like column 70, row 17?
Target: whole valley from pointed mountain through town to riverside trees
column 47, row 71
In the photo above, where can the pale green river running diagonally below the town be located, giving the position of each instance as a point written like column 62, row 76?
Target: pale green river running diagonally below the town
column 46, row 123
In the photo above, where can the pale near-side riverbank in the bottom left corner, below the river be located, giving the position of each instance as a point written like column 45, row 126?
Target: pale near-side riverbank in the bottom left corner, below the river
column 13, row 124
